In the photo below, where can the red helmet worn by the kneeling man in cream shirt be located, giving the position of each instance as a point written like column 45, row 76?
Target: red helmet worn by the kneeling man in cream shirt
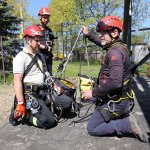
column 32, row 31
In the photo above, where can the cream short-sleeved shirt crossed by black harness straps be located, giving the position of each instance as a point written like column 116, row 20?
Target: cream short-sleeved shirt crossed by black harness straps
column 20, row 63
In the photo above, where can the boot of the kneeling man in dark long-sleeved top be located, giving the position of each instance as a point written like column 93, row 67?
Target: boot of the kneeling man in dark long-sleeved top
column 136, row 129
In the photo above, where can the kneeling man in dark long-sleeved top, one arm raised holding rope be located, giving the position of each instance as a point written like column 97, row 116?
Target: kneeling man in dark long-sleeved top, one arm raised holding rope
column 112, row 94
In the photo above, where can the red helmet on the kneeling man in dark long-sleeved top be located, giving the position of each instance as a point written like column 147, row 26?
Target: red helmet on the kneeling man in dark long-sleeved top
column 108, row 23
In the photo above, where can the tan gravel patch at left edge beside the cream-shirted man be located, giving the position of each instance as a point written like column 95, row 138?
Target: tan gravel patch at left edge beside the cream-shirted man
column 6, row 102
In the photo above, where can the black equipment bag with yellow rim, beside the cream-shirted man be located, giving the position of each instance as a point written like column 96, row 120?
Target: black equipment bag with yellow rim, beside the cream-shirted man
column 60, row 89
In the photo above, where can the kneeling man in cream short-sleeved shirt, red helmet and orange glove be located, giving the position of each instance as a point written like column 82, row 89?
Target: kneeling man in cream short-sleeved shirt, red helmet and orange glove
column 29, row 75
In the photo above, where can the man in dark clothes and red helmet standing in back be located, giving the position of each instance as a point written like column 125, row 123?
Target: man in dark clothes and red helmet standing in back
column 47, row 41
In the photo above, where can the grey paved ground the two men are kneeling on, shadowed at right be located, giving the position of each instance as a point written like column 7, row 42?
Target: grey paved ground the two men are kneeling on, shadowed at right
column 63, row 137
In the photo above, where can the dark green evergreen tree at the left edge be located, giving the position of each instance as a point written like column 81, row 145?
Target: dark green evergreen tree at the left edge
column 9, row 31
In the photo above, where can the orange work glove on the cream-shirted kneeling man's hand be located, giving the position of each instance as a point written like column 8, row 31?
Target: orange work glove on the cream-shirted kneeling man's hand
column 20, row 110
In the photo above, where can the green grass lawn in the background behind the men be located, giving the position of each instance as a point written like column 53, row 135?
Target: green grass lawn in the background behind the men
column 73, row 68
